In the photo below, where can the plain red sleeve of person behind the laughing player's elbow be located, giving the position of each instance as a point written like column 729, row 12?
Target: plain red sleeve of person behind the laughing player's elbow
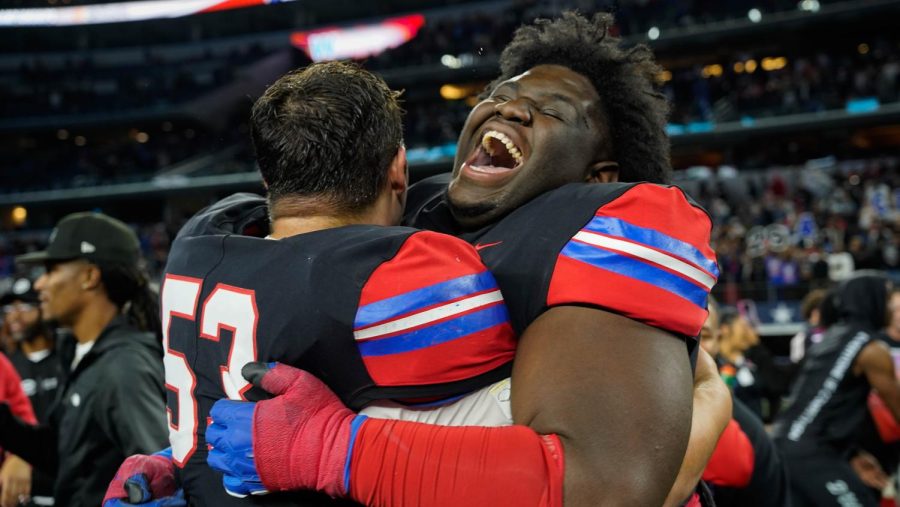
column 732, row 462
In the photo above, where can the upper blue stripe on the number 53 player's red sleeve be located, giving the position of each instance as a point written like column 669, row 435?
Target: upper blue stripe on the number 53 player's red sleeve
column 424, row 297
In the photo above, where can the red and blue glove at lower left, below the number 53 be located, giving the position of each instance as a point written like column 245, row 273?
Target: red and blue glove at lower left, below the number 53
column 147, row 481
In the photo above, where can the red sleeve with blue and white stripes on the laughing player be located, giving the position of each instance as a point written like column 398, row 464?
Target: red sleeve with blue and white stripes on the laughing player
column 646, row 256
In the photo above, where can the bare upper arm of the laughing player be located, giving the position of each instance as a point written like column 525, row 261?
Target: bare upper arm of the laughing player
column 618, row 394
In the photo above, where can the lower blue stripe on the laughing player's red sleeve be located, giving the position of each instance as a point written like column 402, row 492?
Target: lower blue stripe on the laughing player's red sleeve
column 637, row 269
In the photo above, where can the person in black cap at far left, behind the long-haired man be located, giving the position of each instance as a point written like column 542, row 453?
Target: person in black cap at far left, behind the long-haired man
column 36, row 362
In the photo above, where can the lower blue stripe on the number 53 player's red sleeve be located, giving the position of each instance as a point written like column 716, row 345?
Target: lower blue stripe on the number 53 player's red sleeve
column 436, row 334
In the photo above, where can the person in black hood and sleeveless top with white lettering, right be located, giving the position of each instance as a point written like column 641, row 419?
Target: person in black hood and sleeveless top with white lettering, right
column 827, row 405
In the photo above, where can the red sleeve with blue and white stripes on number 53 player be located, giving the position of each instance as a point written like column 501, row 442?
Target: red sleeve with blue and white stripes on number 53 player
column 432, row 314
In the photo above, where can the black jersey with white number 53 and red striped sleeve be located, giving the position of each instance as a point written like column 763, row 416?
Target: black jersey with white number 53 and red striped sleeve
column 375, row 312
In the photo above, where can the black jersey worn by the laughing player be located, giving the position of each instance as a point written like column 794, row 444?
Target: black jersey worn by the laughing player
column 640, row 250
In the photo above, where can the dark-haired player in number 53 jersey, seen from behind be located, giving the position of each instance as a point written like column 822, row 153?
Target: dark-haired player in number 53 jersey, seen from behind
column 312, row 277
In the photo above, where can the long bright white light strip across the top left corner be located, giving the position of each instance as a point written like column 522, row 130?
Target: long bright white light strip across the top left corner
column 120, row 12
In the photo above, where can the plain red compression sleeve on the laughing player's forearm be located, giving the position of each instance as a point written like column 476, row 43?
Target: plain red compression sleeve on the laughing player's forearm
column 403, row 464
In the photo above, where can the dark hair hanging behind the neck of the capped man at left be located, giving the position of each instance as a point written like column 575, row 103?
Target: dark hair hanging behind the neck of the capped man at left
column 128, row 287
